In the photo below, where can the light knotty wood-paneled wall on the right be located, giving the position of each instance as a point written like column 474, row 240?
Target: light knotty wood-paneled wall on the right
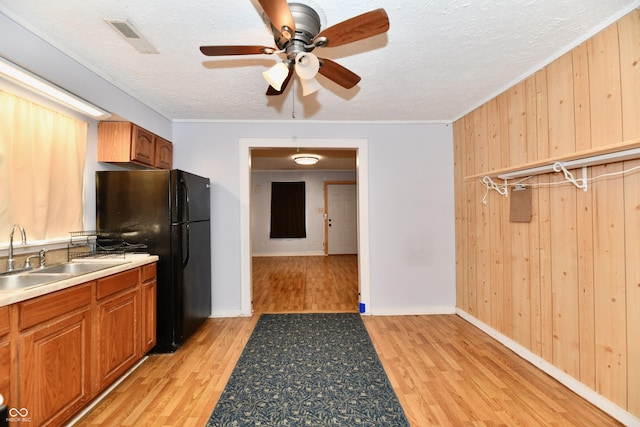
column 565, row 285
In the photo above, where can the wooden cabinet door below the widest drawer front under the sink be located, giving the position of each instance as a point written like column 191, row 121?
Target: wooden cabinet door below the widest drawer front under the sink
column 55, row 357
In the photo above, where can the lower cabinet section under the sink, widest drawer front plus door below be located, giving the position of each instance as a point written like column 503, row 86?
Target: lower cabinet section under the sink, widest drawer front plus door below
column 54, row 346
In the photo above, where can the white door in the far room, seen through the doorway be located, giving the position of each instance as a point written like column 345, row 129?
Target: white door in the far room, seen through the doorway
column 342, row 219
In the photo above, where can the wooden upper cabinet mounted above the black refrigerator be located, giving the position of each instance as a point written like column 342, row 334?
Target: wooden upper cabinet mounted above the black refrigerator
column 129, row 145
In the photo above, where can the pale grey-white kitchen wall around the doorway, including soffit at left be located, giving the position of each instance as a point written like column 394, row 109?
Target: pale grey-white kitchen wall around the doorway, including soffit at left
column 410, row 182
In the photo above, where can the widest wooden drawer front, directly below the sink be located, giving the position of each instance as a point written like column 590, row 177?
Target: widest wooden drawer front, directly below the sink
column 46, row 307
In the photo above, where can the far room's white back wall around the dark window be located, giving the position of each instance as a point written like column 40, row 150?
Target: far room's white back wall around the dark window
column 313, row 244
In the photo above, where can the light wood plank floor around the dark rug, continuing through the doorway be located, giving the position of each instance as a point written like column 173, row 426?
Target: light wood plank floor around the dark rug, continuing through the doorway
column 445, row 371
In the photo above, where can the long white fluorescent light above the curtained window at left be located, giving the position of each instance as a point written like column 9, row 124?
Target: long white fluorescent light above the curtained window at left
column 47, row 89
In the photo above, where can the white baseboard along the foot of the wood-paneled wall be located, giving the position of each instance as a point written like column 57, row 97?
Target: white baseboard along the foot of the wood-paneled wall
column 570, row 382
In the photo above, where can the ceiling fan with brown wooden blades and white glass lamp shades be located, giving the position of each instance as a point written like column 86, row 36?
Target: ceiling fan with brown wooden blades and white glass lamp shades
column 296, row 33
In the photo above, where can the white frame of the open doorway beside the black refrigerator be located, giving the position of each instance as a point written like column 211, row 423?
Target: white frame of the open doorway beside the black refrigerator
column 362, row 174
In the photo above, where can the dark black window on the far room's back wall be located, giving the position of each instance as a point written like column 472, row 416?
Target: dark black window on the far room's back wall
column 288, row 210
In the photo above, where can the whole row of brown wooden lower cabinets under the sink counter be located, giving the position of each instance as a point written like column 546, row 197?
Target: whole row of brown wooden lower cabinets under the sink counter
column 60, row 350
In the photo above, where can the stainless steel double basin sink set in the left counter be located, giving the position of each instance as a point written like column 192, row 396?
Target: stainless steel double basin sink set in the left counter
column 54, row 273
